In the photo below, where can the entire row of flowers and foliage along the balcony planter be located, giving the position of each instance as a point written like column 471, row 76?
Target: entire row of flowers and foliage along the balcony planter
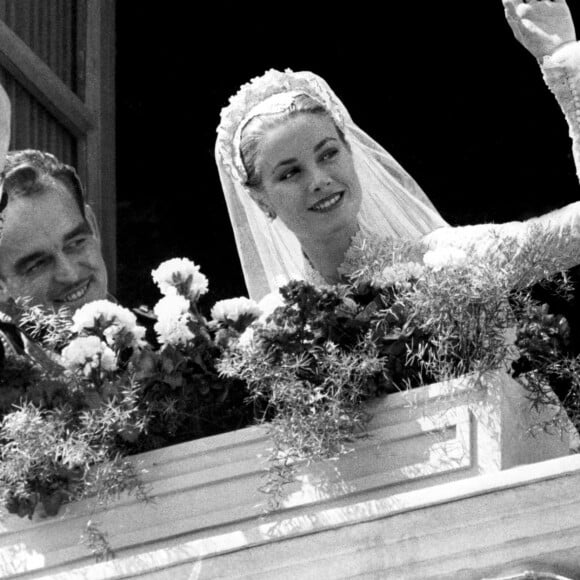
column 80, row 395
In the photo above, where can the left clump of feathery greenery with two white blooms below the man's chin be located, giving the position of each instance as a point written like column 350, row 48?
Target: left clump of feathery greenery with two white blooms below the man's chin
column 65, row 420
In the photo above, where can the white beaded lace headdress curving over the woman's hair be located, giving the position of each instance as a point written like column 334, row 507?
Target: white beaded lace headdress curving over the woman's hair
column 262, row 95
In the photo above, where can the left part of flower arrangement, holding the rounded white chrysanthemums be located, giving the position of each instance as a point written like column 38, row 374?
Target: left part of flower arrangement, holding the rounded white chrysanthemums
column 86, row 391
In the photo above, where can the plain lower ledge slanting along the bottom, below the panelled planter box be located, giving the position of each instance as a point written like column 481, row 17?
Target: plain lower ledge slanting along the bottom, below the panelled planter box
column 426, row 547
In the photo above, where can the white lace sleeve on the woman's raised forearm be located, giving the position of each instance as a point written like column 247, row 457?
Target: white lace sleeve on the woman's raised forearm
column 561, row 73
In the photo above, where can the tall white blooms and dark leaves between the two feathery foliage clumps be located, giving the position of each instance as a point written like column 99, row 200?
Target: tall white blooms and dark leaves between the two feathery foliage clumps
column 183, row 391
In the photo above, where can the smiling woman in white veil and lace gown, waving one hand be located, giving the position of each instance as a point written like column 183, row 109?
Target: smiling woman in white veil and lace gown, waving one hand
column 302, row 181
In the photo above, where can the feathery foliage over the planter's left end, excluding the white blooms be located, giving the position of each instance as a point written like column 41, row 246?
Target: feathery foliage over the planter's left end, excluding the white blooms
column 61, row 431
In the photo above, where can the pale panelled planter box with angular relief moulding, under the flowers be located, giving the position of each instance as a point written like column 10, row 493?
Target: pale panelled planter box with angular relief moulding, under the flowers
column 207, row 489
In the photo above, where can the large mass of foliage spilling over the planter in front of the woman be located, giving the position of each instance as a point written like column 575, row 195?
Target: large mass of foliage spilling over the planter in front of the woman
column 395, row 323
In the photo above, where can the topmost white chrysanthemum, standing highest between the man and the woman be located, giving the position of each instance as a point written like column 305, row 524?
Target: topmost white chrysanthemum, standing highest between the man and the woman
column 180, row 276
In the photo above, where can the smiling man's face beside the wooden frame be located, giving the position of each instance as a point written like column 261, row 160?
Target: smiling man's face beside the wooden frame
column 48, row 251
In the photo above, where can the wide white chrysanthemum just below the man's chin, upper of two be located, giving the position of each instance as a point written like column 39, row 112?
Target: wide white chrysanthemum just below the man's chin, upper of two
column 119, row 324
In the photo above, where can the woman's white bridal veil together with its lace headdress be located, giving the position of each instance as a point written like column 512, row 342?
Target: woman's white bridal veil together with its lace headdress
column 392, row 205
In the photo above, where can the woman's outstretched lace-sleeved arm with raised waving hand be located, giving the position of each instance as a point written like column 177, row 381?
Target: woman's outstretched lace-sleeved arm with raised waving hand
column 546, row 29
